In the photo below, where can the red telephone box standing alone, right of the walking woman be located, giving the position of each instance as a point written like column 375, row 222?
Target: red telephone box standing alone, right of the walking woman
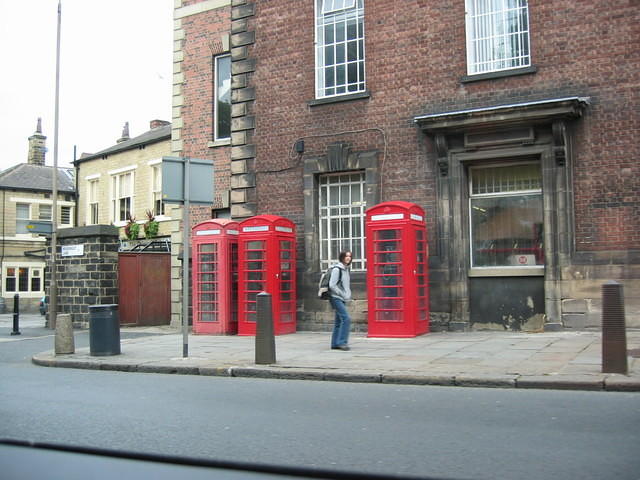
column 397, row 270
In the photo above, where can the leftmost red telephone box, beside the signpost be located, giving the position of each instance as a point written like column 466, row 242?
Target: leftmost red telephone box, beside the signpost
column 215, row 277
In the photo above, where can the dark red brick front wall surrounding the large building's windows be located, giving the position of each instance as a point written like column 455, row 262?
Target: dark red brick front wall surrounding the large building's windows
column 415, row 58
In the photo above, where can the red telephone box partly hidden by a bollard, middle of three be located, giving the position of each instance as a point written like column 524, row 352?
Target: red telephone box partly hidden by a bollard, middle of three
column 267, row 263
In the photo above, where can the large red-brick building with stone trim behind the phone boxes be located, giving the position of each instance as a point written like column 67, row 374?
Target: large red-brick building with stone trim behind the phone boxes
column 512, row 123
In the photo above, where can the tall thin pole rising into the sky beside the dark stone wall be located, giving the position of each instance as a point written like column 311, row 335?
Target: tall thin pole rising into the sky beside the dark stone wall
column 53, row 287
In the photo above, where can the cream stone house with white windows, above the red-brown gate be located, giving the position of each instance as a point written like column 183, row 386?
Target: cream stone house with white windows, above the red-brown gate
column 125, row 180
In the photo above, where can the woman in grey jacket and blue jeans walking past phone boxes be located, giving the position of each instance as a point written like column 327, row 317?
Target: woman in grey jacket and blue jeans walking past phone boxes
column 340, row 294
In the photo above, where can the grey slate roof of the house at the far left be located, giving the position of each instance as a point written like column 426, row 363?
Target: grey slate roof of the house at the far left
column 25, row 176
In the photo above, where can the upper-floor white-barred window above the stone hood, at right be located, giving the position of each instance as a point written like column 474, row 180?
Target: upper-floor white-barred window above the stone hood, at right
column 497, row 35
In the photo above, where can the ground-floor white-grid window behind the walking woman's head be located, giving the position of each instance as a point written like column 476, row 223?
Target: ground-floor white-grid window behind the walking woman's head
column 342, row 206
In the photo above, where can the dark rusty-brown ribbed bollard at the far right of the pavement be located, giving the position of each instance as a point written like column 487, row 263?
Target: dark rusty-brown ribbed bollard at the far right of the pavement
column 614, row 340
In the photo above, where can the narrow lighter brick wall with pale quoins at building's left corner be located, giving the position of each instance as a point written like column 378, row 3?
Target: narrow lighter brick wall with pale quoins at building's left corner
column 201, row 31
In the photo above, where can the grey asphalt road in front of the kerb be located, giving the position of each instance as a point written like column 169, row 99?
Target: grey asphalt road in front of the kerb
column 442, row 432
